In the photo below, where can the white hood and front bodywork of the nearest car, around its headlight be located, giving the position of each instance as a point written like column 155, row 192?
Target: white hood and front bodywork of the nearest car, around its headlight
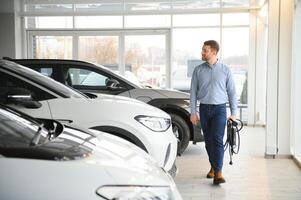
column 107, row 160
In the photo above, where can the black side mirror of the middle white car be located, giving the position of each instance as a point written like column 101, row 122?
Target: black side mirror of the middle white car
column 22, row 97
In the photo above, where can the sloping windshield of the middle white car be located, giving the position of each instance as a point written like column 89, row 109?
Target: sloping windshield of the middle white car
column 44, row 80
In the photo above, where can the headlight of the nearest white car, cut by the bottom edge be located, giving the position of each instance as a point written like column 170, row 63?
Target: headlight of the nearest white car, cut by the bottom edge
column 134, row 193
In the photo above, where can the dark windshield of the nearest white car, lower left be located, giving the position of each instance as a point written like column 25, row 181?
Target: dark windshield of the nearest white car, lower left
column 16, row 130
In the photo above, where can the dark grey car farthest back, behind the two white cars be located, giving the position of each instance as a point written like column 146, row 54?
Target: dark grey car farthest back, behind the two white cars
column 95, row 79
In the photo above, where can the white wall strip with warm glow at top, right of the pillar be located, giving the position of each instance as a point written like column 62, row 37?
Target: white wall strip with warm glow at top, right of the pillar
column 284, row 76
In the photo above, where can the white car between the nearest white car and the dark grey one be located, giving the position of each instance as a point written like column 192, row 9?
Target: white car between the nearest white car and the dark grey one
column 42, row 97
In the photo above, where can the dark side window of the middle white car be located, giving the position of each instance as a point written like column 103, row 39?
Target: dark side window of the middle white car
column 10, row 85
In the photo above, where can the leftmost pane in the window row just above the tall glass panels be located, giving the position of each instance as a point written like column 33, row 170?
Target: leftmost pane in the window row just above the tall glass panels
column 49, row 22
